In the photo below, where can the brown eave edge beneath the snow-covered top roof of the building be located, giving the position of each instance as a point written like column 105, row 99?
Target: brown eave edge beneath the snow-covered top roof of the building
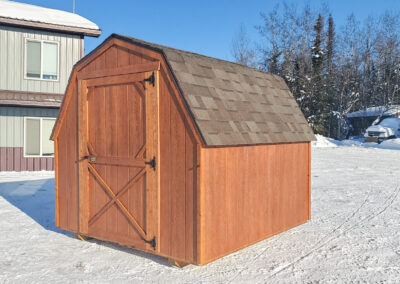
column 50, row 27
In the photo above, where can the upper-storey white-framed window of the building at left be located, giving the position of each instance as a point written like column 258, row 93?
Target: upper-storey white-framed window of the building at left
column 41, row 60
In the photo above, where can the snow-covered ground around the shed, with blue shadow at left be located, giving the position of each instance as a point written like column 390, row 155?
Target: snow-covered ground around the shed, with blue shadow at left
column 354, row 234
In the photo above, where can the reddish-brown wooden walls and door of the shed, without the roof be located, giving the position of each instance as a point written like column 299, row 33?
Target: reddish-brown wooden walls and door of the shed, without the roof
column 200, row 203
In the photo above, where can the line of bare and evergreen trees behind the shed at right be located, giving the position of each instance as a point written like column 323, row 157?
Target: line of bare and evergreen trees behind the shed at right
column 330, row 70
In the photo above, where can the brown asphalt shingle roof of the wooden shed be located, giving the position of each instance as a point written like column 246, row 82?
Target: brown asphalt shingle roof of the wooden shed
column 233, row 104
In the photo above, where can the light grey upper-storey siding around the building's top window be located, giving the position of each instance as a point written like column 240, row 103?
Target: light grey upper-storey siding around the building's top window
column 12, row 56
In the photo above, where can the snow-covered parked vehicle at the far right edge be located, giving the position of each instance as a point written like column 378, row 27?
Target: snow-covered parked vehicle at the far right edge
column 386, row 129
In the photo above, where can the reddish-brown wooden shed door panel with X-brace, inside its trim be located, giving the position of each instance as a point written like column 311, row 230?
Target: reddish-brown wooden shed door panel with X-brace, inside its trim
column 118, row 199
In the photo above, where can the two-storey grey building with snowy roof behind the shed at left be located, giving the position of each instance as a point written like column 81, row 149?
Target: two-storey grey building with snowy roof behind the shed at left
column 38, row 48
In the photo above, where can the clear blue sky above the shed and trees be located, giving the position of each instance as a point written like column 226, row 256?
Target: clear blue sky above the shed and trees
column 205, row 27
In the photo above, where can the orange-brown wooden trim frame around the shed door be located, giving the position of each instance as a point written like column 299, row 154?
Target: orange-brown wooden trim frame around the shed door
column 152, row 149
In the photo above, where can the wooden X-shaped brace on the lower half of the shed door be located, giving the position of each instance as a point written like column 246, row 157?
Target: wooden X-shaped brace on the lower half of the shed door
column 115, row 200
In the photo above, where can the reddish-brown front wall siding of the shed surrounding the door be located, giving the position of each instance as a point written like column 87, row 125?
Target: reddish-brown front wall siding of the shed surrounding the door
column 178, row 157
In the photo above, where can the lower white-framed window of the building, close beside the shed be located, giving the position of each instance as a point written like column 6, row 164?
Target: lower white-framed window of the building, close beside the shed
column 37, row 137
